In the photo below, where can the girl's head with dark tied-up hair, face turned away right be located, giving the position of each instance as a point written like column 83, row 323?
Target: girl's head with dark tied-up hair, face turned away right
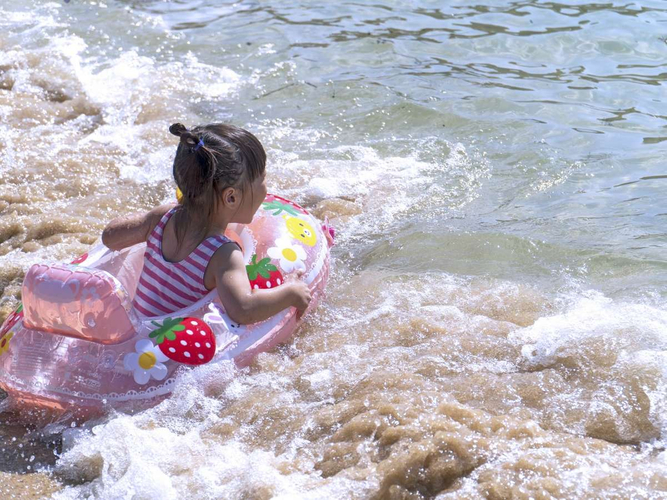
column 219, row 166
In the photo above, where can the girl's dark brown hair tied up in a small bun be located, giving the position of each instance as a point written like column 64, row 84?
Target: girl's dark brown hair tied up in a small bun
column 229, row 157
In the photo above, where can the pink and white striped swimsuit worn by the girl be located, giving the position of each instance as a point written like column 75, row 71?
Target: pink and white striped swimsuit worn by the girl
column 166, row 287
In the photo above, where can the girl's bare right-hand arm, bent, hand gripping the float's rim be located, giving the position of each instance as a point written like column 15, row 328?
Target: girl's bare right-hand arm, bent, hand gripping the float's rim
column 245, row 305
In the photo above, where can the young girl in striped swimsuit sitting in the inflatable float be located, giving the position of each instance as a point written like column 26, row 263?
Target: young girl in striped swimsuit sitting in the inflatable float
column 220, row 169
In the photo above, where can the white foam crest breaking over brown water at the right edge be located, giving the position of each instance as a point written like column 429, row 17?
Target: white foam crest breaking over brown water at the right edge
column 617, row 350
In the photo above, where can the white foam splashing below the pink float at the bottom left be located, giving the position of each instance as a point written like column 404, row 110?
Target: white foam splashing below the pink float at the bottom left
column 167, row 452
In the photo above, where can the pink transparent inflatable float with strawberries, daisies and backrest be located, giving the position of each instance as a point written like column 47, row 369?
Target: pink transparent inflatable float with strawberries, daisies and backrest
column 77, row 345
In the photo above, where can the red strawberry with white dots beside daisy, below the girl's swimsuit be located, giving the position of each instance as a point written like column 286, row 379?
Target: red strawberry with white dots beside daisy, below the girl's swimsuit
column 185, row 340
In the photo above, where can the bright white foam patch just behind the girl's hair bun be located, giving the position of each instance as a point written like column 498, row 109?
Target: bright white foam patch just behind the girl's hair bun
column 136, row 104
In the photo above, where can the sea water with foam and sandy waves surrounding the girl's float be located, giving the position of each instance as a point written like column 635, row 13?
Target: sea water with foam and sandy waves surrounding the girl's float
column 496, row 320
